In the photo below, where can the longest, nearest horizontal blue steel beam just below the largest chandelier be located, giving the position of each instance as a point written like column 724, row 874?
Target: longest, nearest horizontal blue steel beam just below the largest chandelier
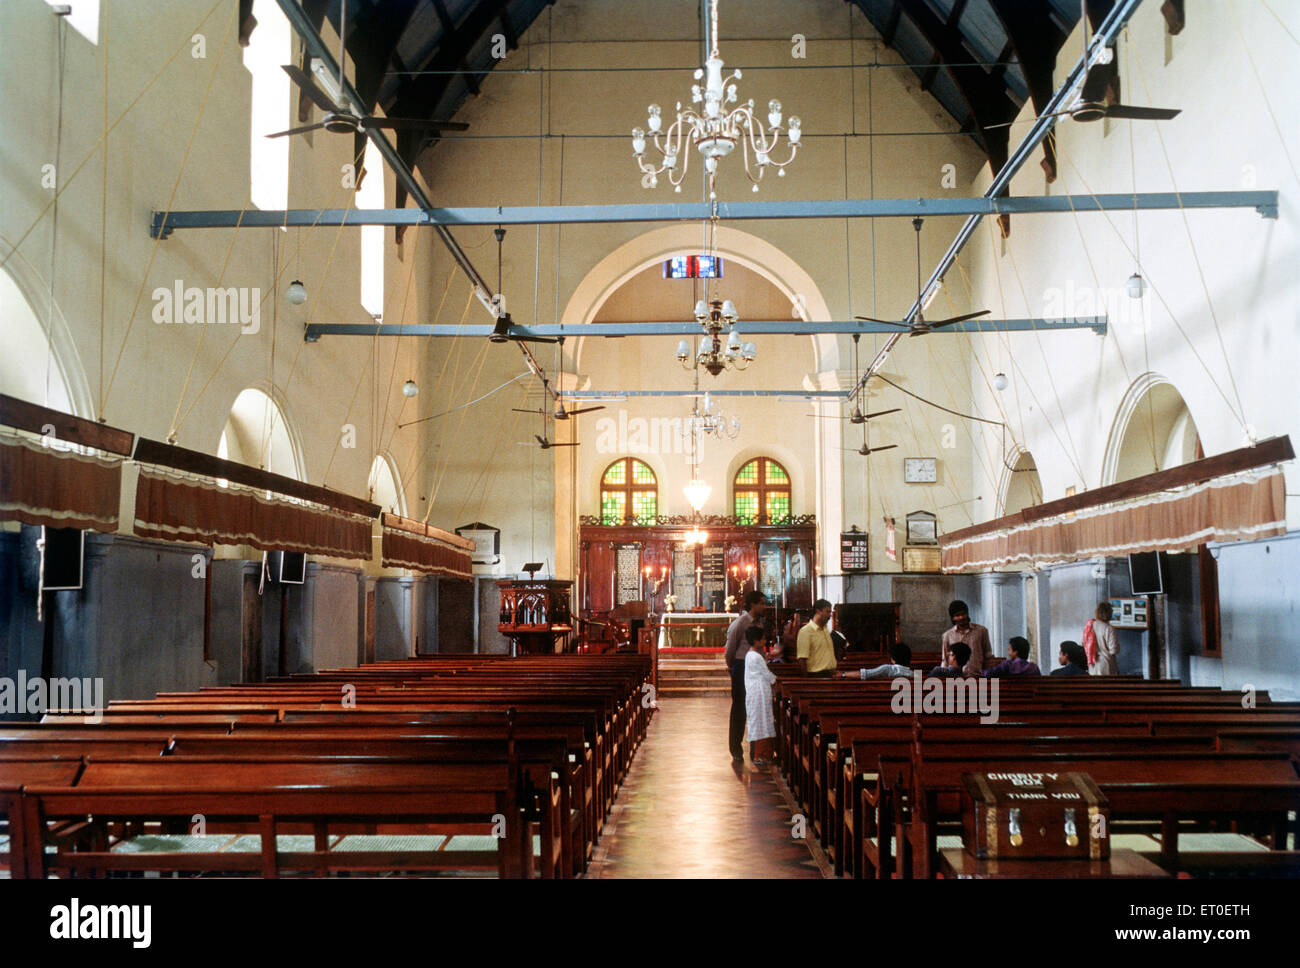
column 1263, row 202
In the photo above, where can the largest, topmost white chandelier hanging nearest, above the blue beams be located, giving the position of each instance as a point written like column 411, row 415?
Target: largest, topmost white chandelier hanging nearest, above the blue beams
column 716, row 132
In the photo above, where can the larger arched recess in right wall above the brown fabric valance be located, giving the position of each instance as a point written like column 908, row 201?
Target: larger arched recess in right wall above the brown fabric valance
column 1155, row 431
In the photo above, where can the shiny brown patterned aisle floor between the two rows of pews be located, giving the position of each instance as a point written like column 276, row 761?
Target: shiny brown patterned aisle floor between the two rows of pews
column 686, row 811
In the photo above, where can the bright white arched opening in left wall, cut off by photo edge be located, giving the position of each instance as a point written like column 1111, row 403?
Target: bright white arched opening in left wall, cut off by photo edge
column 40, row 363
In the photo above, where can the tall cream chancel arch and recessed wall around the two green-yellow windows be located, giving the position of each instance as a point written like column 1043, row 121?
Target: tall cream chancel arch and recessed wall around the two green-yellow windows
column 629, row 285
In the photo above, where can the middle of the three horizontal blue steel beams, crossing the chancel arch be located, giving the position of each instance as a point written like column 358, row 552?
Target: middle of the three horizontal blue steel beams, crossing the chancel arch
column 673, row 328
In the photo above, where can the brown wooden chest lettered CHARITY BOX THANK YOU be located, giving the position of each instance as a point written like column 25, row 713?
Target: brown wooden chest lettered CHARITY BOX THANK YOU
column 1012, row 817
